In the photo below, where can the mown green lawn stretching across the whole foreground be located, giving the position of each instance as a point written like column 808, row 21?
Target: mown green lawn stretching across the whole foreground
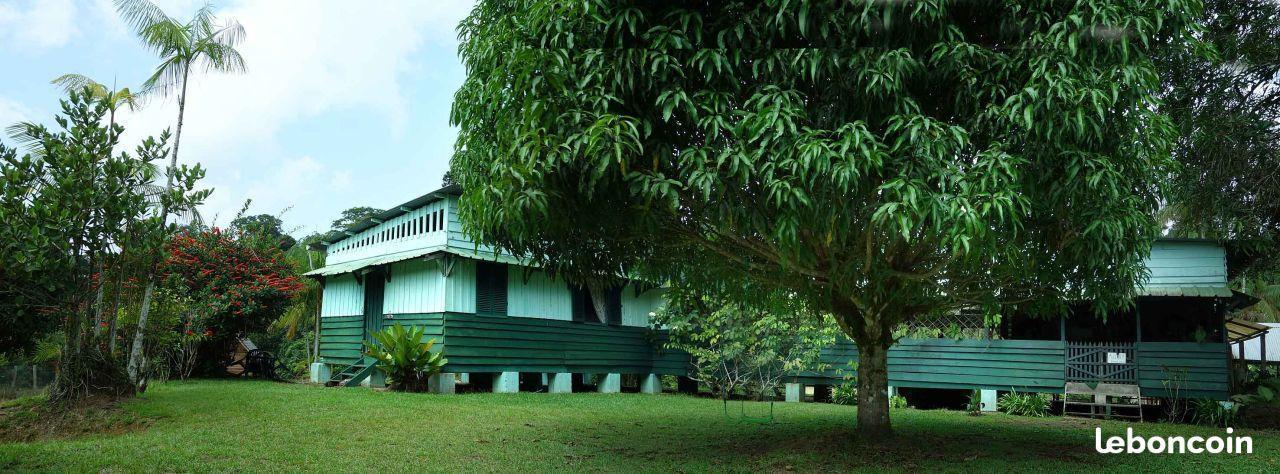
column 221, row 426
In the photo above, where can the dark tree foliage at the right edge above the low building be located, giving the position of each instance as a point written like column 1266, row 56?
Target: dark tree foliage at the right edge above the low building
column 1226, row 101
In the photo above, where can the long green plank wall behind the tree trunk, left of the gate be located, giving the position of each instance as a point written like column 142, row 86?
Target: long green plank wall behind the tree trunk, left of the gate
column 1002, row 364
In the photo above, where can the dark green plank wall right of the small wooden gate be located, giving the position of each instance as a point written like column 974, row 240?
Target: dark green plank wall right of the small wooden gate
column 1203, row 370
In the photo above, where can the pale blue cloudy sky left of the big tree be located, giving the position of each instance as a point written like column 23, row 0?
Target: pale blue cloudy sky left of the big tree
column 345, row 103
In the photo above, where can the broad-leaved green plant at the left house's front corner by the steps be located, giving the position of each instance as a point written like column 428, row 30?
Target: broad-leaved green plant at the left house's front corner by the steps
column 405, row 358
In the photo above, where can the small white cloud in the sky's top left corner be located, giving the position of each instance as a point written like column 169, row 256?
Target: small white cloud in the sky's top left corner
column 36, row 25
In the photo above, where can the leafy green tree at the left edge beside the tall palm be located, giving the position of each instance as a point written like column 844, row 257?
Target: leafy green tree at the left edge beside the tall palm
column 67, row 206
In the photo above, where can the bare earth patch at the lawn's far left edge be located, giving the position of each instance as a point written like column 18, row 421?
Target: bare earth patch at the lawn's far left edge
column 33, row 420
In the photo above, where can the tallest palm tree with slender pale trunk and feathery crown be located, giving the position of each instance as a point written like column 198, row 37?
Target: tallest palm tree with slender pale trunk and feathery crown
column 200, row 44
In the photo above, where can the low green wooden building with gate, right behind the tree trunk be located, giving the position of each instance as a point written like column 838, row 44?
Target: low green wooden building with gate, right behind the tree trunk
column 1172, row 344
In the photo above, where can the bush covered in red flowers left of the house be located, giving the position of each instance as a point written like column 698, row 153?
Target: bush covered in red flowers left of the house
column 236, row 284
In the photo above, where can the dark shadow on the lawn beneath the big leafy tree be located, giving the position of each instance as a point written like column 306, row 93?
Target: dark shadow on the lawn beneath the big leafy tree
column 922, row 440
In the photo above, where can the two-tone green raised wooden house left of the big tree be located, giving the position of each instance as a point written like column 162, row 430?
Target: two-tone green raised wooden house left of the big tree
column 493, row 317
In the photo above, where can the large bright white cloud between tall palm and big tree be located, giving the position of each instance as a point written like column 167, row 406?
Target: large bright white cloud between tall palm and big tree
column 305, row 60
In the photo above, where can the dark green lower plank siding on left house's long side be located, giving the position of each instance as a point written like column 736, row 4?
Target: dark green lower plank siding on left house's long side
column 497, row 344
